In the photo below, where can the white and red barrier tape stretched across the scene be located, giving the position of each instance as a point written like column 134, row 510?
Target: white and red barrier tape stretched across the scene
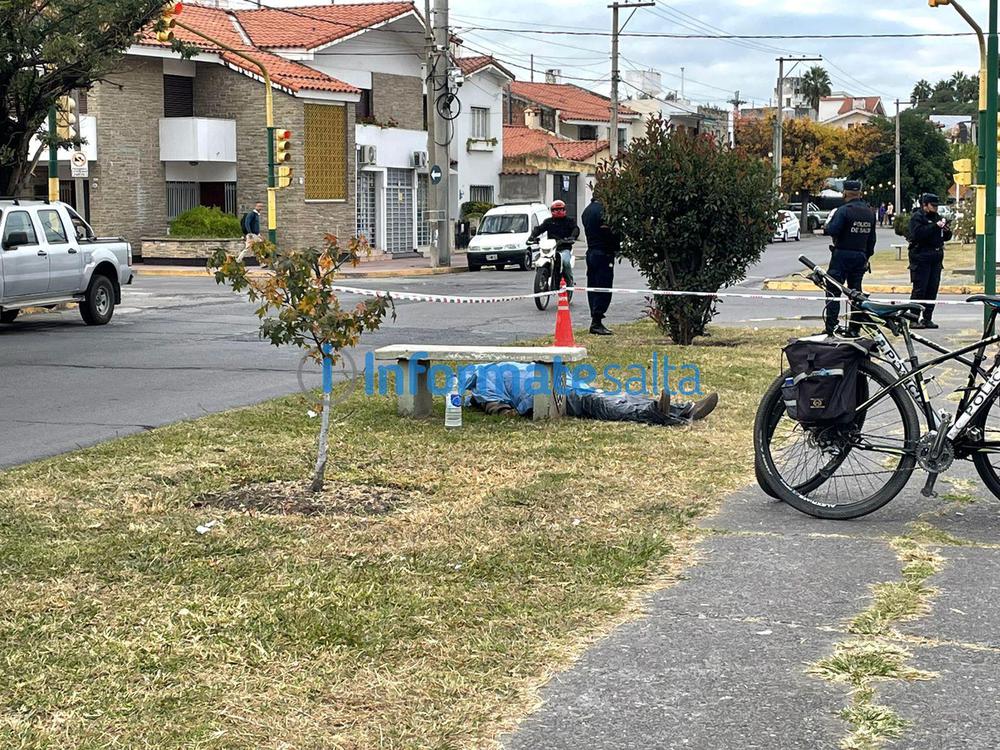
column 479, row 300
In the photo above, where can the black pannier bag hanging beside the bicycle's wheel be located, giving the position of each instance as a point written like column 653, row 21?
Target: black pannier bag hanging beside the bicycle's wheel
column 824, row 387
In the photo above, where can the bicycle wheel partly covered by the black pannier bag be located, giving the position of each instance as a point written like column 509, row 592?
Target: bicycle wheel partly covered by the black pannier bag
column 842, row 471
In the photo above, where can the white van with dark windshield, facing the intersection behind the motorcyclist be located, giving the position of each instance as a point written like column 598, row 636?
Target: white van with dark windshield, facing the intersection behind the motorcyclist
column 502, row 238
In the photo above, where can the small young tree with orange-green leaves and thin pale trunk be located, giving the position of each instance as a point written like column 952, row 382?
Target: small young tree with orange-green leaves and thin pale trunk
column 297, row 305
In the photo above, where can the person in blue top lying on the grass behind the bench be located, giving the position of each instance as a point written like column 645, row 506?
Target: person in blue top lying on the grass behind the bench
column 508, row 388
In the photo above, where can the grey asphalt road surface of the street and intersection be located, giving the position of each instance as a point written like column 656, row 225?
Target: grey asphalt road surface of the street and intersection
column 180, row 348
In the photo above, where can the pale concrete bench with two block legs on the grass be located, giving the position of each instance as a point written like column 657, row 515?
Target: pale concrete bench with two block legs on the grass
column 416, row 401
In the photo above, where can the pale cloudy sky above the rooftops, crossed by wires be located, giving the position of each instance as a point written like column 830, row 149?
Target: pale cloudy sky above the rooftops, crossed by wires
column 715, row 68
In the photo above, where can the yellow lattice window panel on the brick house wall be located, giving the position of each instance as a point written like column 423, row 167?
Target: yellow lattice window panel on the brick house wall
column 325, row 148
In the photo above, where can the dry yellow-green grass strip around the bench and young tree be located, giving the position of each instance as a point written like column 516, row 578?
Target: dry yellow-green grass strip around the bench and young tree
column 419, row 602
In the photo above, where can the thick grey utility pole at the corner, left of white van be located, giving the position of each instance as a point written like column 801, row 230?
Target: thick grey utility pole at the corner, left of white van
column 439, row 99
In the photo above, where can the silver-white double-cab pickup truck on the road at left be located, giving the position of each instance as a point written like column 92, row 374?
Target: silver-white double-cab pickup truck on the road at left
column 49, row 255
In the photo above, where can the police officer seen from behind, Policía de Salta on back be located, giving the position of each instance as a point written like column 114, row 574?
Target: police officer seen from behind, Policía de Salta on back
column 852, row 229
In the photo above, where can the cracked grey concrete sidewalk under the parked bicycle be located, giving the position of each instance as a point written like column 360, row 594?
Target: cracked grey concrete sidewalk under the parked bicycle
column 721, row 660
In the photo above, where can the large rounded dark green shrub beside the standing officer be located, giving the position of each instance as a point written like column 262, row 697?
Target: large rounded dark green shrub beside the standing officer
column 692, row 214
